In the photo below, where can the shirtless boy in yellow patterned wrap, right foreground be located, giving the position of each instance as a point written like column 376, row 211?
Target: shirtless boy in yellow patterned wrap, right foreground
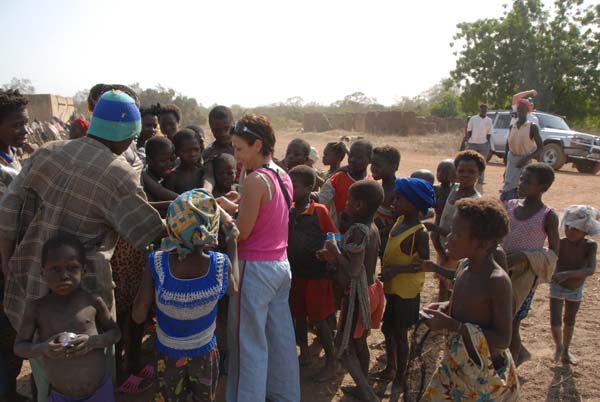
column 479, row 314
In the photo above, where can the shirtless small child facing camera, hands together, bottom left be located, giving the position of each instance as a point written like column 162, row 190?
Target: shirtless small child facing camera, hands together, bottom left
column 73, row 326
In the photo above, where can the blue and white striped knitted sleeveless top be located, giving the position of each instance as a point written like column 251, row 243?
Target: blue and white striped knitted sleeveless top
column 186, row 309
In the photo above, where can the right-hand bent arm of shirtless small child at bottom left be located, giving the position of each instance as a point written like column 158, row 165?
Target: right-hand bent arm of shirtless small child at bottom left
column 108, row 332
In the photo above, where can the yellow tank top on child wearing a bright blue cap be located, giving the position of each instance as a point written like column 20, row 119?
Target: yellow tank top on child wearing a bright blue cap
column 407, row 286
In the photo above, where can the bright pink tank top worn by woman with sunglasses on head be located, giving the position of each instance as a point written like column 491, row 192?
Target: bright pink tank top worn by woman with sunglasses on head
column 268, row 239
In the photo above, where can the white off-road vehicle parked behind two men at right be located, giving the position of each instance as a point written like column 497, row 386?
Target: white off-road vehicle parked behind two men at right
column 561, row 144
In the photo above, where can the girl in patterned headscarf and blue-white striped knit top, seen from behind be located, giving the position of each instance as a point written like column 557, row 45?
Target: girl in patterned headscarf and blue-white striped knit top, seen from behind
column 186, row 280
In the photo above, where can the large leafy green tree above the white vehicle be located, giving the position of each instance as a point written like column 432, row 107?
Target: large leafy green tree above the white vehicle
column 556, row 51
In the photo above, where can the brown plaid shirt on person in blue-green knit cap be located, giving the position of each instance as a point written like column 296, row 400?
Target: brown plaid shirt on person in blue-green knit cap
column 77, row 187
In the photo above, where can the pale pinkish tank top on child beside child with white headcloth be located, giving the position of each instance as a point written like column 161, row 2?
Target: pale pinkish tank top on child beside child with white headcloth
column 526, row 234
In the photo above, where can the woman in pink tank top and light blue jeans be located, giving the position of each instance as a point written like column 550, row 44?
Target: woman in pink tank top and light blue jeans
column 262, row 363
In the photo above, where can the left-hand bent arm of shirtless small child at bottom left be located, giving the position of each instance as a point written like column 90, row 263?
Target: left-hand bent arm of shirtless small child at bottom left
column 24, row 345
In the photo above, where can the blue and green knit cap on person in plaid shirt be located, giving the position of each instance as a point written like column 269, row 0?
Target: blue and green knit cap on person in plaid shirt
column 116, row 117
